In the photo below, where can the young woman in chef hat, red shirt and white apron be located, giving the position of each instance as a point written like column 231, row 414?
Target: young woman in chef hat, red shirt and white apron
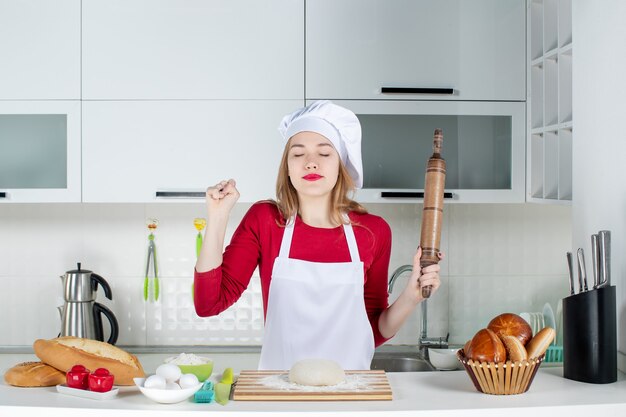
column 323, row 260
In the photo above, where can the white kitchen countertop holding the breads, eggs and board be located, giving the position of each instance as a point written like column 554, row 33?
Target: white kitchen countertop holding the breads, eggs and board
column 414, row 393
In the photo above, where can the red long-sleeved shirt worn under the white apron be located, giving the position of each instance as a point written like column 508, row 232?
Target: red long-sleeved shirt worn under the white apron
column 257, row 242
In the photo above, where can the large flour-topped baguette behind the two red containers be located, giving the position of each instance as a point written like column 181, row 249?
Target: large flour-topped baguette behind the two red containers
column 65, row 352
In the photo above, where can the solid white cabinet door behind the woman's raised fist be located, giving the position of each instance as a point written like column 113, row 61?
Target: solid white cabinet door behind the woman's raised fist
column 134, row 149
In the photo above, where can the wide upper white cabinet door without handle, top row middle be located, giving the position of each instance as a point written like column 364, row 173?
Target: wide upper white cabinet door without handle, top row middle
column 196, row 49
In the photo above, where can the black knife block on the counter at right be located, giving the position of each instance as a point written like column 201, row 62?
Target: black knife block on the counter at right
column 590, row 336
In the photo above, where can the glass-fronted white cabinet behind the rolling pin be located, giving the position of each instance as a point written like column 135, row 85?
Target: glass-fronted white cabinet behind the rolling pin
column 483, row 145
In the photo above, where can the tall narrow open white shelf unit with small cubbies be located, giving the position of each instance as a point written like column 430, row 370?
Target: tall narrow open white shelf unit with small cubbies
column 550, row 101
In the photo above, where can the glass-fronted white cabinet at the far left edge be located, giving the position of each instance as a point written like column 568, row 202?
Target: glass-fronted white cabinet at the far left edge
column 40, row 151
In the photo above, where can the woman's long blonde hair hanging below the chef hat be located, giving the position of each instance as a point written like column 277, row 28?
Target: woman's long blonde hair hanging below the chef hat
column 340, row 201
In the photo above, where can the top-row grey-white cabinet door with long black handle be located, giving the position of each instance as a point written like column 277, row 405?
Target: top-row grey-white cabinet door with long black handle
column 416, row 49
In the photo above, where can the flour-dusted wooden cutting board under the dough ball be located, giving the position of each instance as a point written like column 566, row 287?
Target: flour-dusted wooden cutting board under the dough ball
column 275, row 386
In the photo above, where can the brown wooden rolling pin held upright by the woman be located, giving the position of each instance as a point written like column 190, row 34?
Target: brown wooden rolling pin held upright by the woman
column 433, row 207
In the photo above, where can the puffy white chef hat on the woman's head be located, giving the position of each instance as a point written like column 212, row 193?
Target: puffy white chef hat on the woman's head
column 338, row 124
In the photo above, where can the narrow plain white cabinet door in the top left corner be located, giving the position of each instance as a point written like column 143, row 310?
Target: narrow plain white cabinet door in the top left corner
column 39, row 49
